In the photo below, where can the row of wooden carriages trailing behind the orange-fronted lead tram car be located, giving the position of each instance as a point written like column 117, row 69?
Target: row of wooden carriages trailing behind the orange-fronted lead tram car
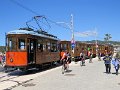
column 85, row 48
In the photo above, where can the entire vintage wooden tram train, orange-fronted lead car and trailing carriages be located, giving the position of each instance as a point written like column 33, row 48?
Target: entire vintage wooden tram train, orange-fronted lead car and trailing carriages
column 26, row 48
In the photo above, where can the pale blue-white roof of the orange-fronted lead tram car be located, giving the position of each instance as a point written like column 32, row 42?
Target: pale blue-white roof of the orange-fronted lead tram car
column 32, row 33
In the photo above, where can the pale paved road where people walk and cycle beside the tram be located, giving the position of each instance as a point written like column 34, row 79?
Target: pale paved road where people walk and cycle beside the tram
column 89, row 77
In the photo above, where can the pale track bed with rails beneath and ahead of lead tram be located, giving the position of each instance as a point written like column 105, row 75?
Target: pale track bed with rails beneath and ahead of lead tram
column 16, row 78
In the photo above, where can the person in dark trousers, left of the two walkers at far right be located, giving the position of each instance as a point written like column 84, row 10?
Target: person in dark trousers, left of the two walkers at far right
column 107, row 61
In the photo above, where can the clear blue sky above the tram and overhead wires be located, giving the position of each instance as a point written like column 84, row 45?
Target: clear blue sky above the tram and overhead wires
column 89, row 15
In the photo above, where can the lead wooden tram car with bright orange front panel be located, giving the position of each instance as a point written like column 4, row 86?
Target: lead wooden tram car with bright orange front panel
column 27, row 48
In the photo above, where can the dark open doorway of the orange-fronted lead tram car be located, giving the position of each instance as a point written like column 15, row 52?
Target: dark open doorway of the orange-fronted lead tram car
column 31, row 51
